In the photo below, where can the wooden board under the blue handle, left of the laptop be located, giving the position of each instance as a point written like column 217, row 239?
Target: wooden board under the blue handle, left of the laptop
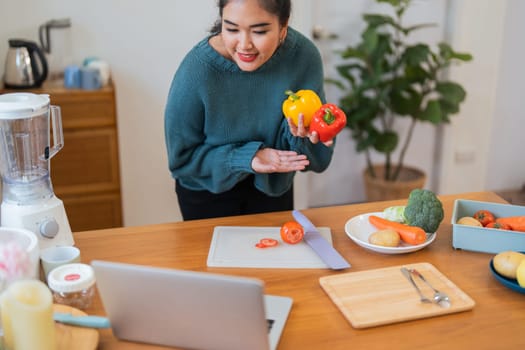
column 72, row 337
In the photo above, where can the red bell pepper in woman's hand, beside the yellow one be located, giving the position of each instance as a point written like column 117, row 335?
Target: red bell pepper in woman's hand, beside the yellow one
column 328, row 121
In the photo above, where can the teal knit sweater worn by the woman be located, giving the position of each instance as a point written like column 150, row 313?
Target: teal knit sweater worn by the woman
column 217, row 116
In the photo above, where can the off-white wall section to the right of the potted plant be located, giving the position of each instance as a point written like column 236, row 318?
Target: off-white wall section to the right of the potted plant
column 483, row 148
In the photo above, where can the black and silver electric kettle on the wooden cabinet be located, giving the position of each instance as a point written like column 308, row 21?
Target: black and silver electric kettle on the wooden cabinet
column 25, row 65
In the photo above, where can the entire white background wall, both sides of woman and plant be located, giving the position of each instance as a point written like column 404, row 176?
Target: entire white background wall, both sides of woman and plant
column 144, row 41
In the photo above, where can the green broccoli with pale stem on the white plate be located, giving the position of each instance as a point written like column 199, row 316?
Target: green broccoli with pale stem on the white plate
column 423, row 209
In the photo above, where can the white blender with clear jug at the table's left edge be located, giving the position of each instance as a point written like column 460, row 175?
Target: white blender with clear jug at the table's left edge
column 28, row 200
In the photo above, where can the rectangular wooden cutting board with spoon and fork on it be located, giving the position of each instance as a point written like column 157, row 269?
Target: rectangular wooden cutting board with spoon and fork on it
column 383, row 296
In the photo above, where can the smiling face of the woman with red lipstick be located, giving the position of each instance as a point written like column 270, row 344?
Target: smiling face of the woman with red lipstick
column 250, row 34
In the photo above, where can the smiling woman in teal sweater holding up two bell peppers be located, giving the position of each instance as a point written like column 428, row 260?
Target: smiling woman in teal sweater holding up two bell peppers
column 229, row 147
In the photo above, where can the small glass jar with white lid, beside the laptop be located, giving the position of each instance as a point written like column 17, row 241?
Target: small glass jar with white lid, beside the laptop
column 73, row 285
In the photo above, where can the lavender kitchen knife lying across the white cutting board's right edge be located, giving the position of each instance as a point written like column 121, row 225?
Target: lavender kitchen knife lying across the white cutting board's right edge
column 313, row 238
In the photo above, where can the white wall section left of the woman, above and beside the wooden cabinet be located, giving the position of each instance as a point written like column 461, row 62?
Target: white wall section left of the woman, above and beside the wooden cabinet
column 143, row 41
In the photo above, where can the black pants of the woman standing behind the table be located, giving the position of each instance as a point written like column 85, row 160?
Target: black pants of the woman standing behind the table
column 243, row 199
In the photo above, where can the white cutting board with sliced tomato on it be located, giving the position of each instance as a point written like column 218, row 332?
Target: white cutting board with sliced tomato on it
column 234, row 246
